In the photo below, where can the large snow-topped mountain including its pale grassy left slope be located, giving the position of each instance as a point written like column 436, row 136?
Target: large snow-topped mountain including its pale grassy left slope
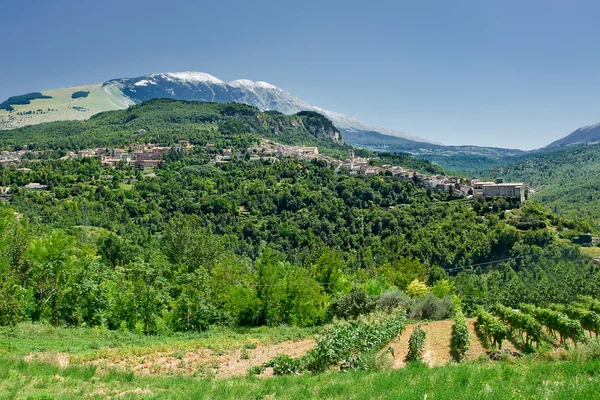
column 197, row 86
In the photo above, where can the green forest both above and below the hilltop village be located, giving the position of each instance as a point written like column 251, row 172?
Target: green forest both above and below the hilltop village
column 251, row 243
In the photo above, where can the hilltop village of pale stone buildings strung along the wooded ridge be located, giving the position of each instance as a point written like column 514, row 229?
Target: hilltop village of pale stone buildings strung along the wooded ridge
column 148, row 156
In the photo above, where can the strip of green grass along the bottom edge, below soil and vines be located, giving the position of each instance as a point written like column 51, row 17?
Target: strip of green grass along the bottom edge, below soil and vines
column 524, row 379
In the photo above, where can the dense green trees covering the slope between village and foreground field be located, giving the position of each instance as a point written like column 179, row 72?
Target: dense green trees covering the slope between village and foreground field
column 198, row 265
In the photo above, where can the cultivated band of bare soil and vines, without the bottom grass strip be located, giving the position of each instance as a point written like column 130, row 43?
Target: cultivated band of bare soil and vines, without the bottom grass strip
column 380, row 341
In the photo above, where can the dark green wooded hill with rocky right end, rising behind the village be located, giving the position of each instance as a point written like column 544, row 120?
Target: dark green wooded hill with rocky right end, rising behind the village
column 166, row 121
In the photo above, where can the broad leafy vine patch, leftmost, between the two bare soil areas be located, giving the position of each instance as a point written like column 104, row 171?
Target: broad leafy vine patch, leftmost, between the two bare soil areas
column 347, row 345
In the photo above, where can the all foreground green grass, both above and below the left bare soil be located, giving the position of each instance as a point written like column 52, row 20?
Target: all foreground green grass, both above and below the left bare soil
column 573, row 374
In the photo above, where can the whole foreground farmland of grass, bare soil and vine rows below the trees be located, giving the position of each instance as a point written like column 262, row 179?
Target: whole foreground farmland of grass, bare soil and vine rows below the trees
column 388, row 342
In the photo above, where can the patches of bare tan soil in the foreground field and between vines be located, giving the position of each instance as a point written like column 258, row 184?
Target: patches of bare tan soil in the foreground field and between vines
column 206, row 362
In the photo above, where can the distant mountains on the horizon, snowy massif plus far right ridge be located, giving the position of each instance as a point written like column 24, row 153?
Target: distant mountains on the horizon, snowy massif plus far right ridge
column 81, row 102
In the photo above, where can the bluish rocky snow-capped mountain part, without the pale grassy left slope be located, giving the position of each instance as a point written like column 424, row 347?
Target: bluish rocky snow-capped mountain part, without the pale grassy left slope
column 200, row 86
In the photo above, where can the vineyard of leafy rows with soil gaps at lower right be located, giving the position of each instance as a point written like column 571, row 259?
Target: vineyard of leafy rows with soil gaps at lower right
column 528, row 329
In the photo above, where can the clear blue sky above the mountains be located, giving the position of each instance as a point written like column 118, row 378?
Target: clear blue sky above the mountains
column 496, row 73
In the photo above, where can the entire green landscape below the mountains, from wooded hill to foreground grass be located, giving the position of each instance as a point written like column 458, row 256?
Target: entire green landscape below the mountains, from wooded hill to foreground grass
column 176, row 246
